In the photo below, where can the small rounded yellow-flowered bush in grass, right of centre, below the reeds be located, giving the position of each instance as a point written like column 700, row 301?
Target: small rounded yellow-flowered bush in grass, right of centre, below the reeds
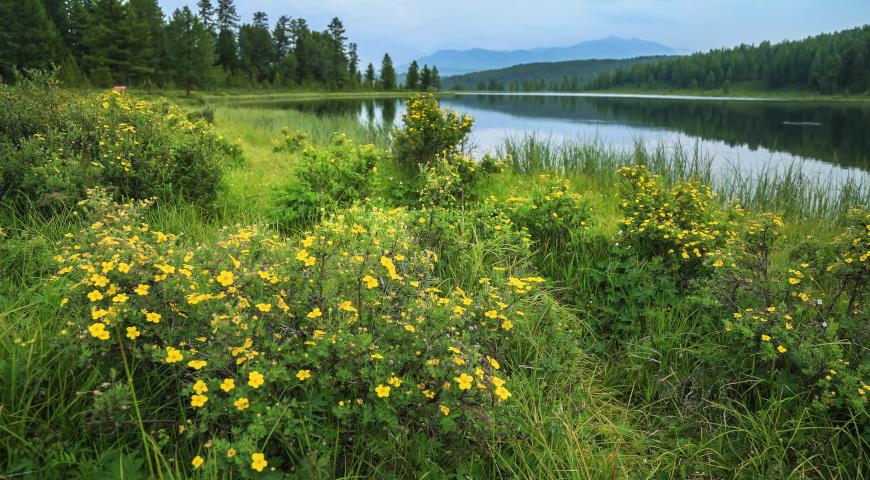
column 552, row 213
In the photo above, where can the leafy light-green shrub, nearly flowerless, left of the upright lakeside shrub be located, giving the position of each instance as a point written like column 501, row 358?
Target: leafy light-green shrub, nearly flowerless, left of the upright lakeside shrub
column 334, row 176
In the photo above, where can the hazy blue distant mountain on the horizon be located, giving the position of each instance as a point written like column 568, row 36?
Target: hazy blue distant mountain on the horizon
column 452, row 62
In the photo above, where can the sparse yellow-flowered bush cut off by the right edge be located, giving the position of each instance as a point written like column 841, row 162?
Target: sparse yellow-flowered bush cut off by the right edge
column 803, row 325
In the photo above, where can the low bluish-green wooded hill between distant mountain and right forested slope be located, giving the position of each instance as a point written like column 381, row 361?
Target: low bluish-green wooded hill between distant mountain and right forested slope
column 553, row 76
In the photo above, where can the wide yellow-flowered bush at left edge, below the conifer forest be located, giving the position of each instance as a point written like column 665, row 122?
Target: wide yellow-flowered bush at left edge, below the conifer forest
column 56, row 144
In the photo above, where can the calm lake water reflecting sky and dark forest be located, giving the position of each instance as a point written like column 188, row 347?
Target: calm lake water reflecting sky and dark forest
column 830, row 139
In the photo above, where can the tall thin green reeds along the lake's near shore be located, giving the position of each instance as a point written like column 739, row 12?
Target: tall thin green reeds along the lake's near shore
column 789, row 190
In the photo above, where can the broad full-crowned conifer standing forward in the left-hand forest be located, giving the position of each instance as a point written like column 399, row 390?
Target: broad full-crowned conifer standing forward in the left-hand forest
column 190, row 49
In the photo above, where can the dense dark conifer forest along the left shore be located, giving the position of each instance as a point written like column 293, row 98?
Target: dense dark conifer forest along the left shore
column 132, row 42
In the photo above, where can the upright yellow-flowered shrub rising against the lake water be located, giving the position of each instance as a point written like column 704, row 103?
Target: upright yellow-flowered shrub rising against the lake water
column 429, row 132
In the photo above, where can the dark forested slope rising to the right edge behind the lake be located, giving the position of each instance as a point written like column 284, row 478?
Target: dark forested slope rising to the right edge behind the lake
column 827, row 63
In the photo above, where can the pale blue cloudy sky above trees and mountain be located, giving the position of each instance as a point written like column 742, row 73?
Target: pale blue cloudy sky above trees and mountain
column 412, row 28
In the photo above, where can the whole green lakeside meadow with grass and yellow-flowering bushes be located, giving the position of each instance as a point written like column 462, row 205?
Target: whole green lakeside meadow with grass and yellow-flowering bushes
column 208, row 291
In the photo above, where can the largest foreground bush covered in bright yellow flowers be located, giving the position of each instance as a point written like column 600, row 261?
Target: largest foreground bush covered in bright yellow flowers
column 271, row 353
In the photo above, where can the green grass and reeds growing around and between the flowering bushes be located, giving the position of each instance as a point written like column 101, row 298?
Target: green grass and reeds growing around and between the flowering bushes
column 622, row 369
